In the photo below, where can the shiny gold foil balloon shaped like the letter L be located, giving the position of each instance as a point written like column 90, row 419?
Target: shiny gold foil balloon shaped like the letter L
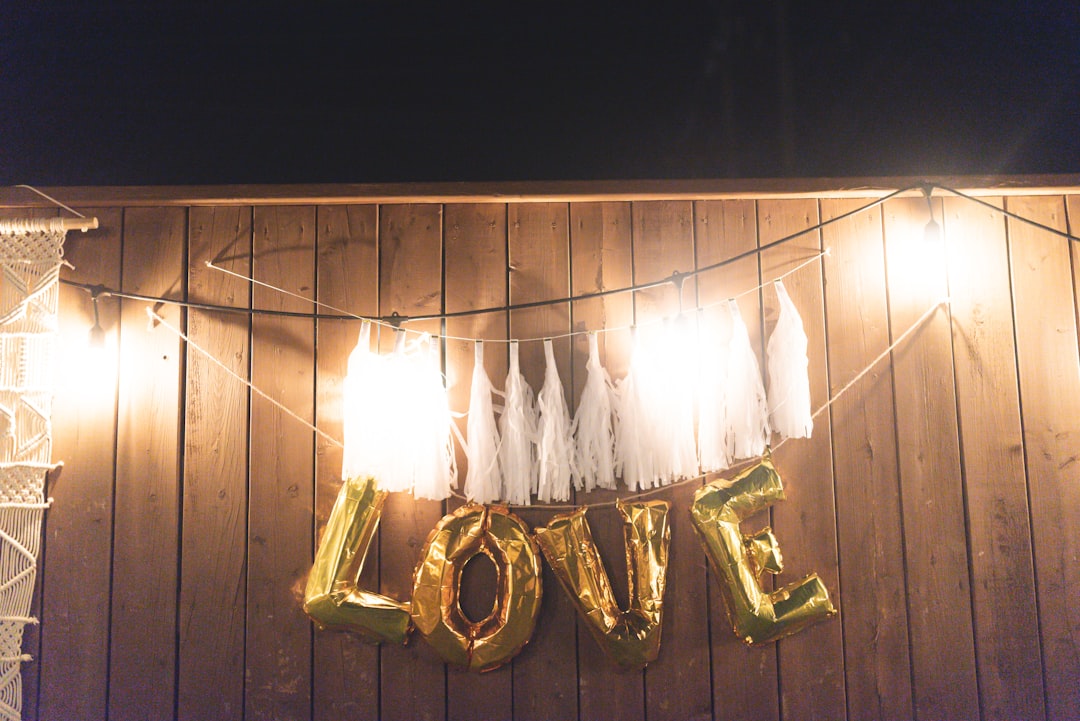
column 331, row 596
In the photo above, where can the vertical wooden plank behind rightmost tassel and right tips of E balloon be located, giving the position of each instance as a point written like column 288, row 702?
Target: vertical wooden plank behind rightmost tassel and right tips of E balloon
column 812, row 662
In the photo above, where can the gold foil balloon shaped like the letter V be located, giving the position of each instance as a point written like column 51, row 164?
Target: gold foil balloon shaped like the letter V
column 630, row 638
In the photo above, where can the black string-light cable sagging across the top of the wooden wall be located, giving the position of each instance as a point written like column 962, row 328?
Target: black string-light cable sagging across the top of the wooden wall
column 397, row 320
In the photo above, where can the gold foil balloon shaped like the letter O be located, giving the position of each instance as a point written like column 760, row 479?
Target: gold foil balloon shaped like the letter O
column 437, row 611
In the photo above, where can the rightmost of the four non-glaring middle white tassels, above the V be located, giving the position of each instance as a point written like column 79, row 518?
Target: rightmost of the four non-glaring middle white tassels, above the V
column 595, row 451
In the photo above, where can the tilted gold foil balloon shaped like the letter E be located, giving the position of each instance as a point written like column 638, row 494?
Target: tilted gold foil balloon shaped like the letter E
column 739, row 561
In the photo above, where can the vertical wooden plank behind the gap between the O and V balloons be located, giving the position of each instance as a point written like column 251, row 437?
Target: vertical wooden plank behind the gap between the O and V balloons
column 546, row 674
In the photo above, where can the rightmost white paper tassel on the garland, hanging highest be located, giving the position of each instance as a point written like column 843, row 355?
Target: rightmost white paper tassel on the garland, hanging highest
column 789, row 376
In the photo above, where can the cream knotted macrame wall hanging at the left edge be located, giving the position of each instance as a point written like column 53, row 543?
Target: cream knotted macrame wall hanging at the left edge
column 31, row 256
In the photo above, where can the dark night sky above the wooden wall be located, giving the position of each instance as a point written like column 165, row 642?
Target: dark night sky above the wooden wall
column 363, row 92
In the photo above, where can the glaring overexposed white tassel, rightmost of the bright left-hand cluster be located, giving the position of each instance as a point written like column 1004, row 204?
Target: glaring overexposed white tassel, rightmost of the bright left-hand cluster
column 434, row 471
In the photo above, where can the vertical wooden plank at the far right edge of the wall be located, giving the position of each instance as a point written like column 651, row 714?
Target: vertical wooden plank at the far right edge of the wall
column 1045, row 298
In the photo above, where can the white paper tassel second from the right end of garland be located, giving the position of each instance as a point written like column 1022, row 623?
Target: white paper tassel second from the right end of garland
column 746, row 407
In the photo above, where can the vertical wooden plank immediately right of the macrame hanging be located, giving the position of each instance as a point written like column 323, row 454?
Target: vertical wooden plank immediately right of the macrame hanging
column 76, row 570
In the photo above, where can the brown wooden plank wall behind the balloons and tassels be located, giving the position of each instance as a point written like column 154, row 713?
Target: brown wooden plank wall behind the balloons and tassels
column 939, row 499
